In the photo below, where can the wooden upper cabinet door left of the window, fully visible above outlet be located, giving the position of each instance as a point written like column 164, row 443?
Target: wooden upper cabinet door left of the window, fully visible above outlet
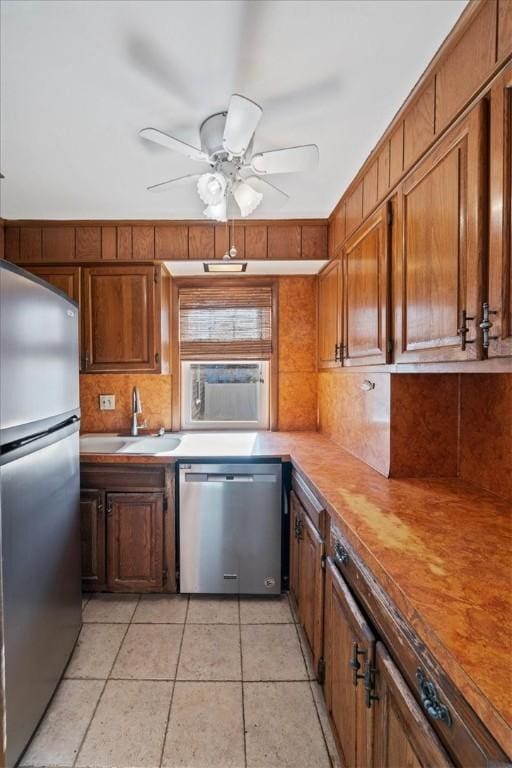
column 121, row 319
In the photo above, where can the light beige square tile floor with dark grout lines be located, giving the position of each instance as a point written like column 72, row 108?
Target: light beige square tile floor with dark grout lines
column 186, row 683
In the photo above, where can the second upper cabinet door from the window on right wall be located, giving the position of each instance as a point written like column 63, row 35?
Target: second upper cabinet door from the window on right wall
column 365, row 293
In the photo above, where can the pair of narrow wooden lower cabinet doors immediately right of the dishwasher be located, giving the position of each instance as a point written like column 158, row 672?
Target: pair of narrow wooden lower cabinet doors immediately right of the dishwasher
column 307, row 577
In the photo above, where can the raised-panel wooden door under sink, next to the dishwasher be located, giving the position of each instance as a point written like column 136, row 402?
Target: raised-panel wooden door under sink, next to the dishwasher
column 135, row 542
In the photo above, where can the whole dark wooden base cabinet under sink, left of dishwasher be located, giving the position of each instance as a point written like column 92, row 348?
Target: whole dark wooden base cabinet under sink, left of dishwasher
column 127, row 528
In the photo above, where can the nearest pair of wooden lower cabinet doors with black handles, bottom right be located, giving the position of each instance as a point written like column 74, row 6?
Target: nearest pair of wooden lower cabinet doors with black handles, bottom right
column 377, row 722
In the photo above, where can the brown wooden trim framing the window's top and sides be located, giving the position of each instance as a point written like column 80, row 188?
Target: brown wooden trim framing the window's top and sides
column 222, row 281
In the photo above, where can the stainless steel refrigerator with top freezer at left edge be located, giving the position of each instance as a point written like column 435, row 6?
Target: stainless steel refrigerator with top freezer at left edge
column 39, row 498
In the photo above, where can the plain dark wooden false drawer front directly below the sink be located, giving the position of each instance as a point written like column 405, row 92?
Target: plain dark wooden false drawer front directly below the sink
column 118, row 477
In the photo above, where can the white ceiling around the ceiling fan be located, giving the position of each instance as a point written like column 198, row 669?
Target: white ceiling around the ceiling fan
column 80, row 78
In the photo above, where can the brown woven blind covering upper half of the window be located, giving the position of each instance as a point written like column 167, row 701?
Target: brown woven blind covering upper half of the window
column 222, row 323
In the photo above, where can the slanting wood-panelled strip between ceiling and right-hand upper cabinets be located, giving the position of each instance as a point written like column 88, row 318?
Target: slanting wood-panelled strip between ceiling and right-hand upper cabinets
column 478, row 45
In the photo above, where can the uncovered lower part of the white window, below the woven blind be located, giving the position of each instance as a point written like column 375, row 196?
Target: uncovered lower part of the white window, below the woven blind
column 225, row 395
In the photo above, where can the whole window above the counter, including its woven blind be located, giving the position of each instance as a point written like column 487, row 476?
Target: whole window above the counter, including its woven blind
column 225, row 344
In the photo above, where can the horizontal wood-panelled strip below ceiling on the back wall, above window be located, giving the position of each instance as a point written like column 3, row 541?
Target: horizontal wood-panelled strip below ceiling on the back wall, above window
column 32, row 242
